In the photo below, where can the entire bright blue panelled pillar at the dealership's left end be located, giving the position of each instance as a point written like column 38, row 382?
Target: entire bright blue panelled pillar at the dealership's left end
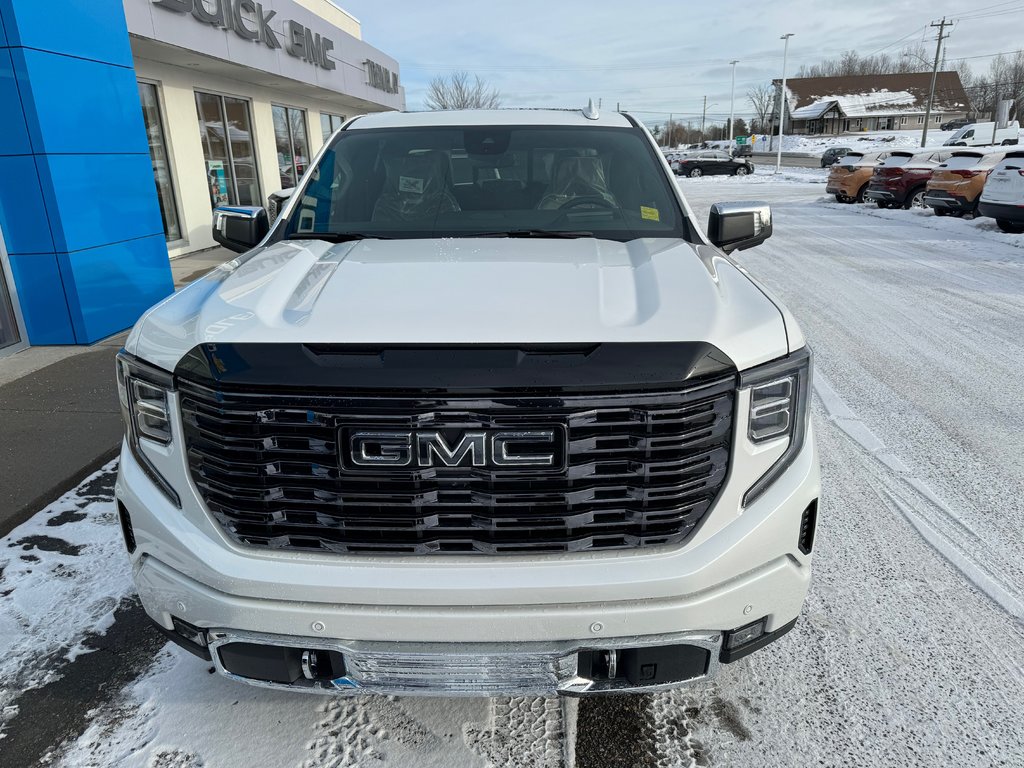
column 78, row 205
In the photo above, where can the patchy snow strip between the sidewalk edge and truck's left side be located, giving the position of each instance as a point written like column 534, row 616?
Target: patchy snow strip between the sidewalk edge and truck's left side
column 62, row 576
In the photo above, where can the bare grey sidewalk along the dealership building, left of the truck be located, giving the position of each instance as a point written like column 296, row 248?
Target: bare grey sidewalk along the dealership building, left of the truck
column 60, row 417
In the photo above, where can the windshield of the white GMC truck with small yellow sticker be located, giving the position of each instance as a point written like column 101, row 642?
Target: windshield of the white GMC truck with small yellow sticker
column 453, row 182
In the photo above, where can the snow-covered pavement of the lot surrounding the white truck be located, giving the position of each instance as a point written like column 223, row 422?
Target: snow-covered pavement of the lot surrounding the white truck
column 911, row 648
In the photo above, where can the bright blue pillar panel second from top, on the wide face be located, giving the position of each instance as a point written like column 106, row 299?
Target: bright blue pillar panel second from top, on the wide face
column 77, row 106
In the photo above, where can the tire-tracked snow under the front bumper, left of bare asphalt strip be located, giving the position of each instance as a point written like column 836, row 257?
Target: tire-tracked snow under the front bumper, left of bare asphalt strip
column 182, row 716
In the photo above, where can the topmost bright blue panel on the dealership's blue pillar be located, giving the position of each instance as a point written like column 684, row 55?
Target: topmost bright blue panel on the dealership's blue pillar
column 88, row 29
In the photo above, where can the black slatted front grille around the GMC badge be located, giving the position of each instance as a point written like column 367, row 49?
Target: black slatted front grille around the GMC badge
column 643, row 471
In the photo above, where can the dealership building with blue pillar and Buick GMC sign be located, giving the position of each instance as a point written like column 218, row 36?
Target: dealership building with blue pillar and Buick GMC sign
column 126, row 122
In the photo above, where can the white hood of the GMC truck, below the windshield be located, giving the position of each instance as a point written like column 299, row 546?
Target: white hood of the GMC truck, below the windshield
column 466, row 291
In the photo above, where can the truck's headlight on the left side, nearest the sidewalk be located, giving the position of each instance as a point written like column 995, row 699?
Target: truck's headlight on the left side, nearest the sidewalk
column 144, row 393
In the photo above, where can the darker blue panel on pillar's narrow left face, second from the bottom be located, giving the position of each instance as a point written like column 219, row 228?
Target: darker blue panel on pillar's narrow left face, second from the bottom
column 23, row 214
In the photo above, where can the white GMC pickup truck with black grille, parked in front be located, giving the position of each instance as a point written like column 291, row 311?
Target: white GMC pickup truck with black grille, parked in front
column 483, row 412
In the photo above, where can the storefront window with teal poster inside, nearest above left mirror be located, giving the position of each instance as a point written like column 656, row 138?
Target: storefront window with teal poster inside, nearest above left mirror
column 226, row 127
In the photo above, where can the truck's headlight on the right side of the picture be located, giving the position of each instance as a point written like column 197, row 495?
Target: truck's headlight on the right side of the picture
column 780, row 403
